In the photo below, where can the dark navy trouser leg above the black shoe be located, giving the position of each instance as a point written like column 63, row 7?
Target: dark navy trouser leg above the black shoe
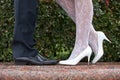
column 25, row 20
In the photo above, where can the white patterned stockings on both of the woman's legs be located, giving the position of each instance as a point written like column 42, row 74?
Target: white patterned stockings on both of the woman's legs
column 84, row 14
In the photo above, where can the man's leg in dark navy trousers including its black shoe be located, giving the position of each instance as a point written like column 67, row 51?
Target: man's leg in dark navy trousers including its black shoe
column 23, row 41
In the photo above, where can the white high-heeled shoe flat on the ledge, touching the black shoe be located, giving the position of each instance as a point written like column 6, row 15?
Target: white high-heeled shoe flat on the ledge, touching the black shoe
column 87, row 52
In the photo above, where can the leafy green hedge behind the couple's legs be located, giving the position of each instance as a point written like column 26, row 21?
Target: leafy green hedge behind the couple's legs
column 55, row 31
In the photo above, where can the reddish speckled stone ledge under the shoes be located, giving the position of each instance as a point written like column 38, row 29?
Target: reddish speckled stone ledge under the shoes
column 99, row 71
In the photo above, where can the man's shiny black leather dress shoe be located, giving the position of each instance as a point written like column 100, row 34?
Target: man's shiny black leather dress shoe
column 37, row 60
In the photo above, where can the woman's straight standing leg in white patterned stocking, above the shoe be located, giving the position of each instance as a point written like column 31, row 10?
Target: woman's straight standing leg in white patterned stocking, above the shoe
column 83, row 13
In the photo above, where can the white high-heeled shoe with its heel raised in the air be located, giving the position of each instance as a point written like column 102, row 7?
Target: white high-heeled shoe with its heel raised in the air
column 101, row 37
